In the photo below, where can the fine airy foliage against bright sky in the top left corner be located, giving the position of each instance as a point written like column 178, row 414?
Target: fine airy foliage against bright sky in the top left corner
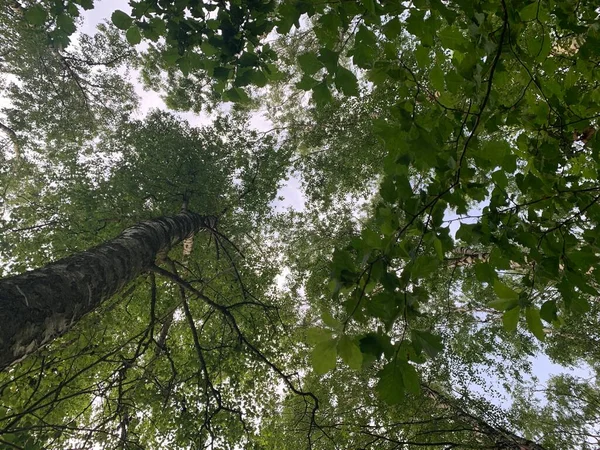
column 59, row 93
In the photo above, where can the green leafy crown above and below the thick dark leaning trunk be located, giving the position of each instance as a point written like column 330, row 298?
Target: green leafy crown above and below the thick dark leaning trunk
column 117, row 358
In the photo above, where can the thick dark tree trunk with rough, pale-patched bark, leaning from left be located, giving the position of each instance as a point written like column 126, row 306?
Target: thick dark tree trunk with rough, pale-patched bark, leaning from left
column 40, row 305
